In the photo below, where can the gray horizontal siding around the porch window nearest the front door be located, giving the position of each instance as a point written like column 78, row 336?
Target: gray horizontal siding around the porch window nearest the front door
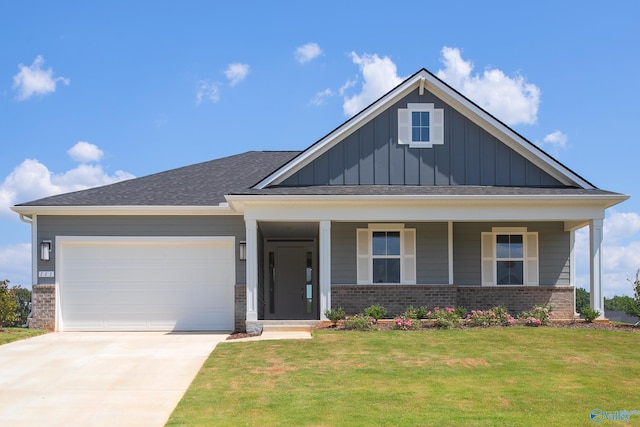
column 431, row 252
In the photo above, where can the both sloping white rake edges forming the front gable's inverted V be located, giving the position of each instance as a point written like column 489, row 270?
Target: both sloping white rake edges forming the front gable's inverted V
column 421, row 80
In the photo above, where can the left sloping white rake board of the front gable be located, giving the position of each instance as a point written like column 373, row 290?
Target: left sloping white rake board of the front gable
column 343, row 131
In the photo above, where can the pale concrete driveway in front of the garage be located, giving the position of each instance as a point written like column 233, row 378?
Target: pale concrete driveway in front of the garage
column 99, row 379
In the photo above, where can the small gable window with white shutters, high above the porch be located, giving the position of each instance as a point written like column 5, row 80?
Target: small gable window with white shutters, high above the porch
column 420, row 125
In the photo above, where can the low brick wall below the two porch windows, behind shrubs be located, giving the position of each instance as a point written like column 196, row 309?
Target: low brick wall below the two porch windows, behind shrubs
column 396, row 298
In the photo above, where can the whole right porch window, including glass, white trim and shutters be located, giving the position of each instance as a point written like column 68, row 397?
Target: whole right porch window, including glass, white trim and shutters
column 509, row 257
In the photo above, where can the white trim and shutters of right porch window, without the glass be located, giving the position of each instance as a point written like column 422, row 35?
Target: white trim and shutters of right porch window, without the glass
column 530, row 266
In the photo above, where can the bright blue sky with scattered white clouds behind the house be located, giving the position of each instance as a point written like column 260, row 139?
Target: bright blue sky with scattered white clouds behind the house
column 96, row 92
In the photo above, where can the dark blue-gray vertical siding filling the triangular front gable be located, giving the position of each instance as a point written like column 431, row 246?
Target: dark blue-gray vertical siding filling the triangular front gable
column 469, row 156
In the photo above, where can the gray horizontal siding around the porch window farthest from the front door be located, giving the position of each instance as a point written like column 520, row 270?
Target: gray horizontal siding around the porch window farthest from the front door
column 553, row 251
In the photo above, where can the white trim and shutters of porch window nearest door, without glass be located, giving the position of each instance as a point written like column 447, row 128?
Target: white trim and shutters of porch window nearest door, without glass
column 365, row 257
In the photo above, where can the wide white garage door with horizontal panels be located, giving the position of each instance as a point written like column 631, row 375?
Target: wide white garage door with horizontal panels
column 131, row 284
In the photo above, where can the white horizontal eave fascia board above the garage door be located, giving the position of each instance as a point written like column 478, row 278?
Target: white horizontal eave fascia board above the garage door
column 123, row 210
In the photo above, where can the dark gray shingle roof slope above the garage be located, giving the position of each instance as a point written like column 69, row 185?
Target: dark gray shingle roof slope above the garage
column 202, row 184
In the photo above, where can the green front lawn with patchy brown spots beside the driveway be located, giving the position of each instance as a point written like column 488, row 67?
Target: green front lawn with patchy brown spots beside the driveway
column 509, row 376
